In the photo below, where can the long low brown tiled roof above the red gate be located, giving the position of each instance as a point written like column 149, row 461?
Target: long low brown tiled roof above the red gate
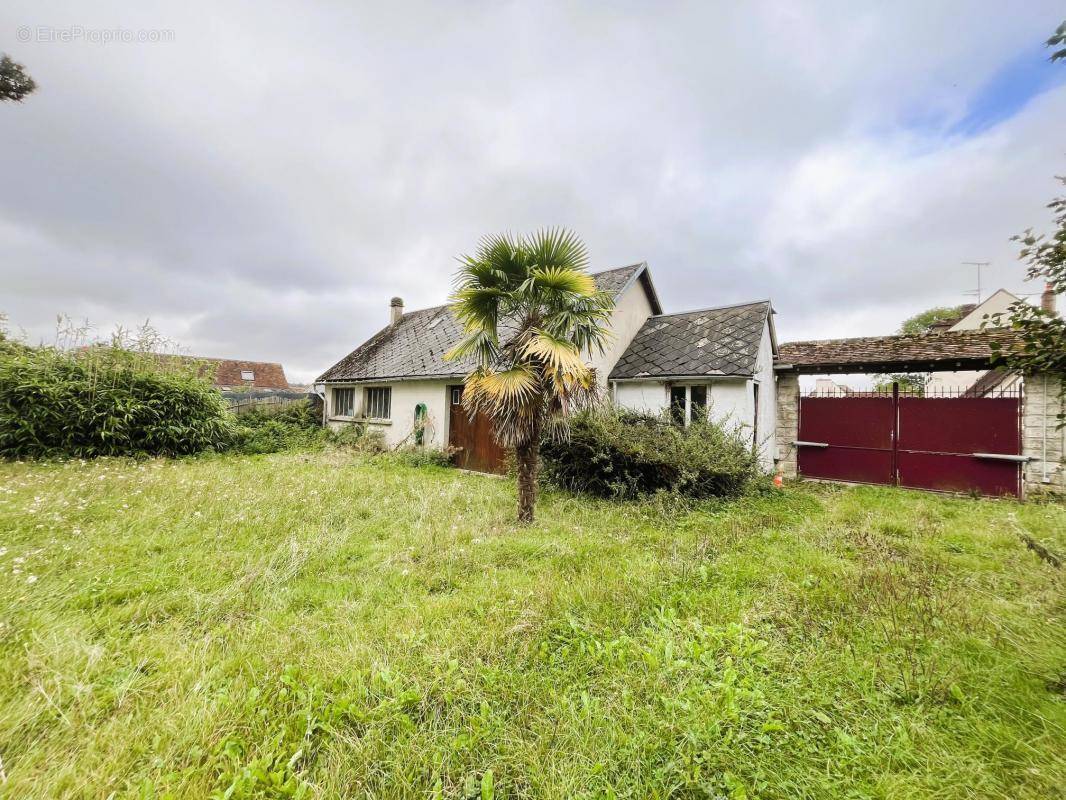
column 929, row 353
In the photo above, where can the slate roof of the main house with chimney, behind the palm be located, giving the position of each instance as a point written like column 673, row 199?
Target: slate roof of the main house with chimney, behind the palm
column 416, row 345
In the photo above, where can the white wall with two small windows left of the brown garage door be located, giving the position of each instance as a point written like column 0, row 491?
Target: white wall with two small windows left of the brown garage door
column 407, row 395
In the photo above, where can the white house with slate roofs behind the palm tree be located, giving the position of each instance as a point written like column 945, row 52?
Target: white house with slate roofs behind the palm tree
column 722, row 359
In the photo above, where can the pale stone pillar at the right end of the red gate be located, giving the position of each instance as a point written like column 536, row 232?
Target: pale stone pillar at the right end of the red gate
column 1042, row 440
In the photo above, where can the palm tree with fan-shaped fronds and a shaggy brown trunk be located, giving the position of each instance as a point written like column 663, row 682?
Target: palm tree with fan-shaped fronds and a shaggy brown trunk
column 530, row 312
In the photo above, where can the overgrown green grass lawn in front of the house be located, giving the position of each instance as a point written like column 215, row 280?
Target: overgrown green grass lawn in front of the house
column 325, row 626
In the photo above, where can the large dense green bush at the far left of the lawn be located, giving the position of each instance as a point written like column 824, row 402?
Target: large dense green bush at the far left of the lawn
column 106, row 401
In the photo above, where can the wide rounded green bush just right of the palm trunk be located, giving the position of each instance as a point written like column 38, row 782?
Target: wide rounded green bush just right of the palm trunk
column 623, row 455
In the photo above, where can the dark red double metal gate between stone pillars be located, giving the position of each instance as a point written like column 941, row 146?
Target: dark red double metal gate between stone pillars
column 946, row 444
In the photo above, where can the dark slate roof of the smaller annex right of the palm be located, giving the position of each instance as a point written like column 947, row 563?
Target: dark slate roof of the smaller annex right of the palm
column 723, row 342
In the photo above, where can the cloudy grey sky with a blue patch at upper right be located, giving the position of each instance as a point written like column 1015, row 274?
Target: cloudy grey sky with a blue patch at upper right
column 264, row 180
